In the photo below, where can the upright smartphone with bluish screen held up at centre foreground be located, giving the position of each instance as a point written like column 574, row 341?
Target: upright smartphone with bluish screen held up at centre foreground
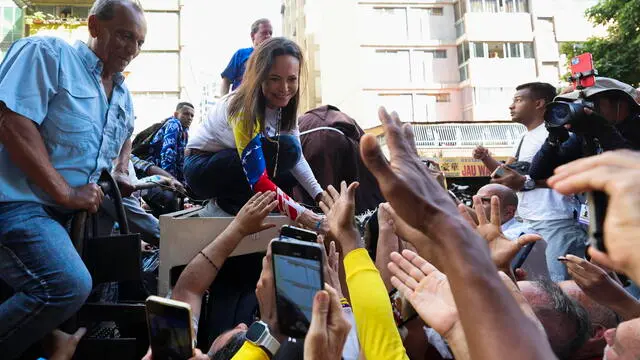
column 298, row 274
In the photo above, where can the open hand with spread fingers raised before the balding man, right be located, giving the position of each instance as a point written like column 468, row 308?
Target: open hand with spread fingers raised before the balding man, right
column 502, row 249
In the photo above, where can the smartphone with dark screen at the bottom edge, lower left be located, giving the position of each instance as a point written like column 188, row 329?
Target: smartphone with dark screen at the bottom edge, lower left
column 170, row 325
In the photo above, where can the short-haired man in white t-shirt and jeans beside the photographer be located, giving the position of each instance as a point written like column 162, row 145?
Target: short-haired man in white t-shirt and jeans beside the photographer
column 549, row 213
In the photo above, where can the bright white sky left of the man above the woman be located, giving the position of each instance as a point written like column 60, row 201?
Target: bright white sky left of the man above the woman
column 212, row 30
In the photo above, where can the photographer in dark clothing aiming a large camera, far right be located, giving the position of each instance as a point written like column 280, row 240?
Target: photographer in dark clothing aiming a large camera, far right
column 614, row 121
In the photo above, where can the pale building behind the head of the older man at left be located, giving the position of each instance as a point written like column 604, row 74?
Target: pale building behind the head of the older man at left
column 154, row 77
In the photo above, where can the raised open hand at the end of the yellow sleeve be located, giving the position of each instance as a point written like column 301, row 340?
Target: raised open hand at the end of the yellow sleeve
column 340, row 211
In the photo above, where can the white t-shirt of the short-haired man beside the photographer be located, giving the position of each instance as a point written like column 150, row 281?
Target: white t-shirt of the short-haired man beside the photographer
column 541, row 203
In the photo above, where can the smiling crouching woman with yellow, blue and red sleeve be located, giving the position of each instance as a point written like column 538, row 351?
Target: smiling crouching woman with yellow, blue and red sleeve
column 252, row 138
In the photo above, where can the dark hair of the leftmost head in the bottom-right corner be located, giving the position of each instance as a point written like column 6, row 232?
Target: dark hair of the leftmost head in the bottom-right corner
column 566, row 322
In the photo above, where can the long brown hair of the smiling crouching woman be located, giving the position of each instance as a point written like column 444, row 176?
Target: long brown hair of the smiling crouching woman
column 248, row 103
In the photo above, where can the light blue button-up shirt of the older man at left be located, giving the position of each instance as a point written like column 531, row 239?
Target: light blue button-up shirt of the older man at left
column 58, row 87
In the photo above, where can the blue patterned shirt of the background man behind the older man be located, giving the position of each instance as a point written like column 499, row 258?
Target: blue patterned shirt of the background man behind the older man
column 167, row 147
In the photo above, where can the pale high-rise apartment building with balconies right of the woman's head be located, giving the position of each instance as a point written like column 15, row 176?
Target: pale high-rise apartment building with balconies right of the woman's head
column 433, row 61
